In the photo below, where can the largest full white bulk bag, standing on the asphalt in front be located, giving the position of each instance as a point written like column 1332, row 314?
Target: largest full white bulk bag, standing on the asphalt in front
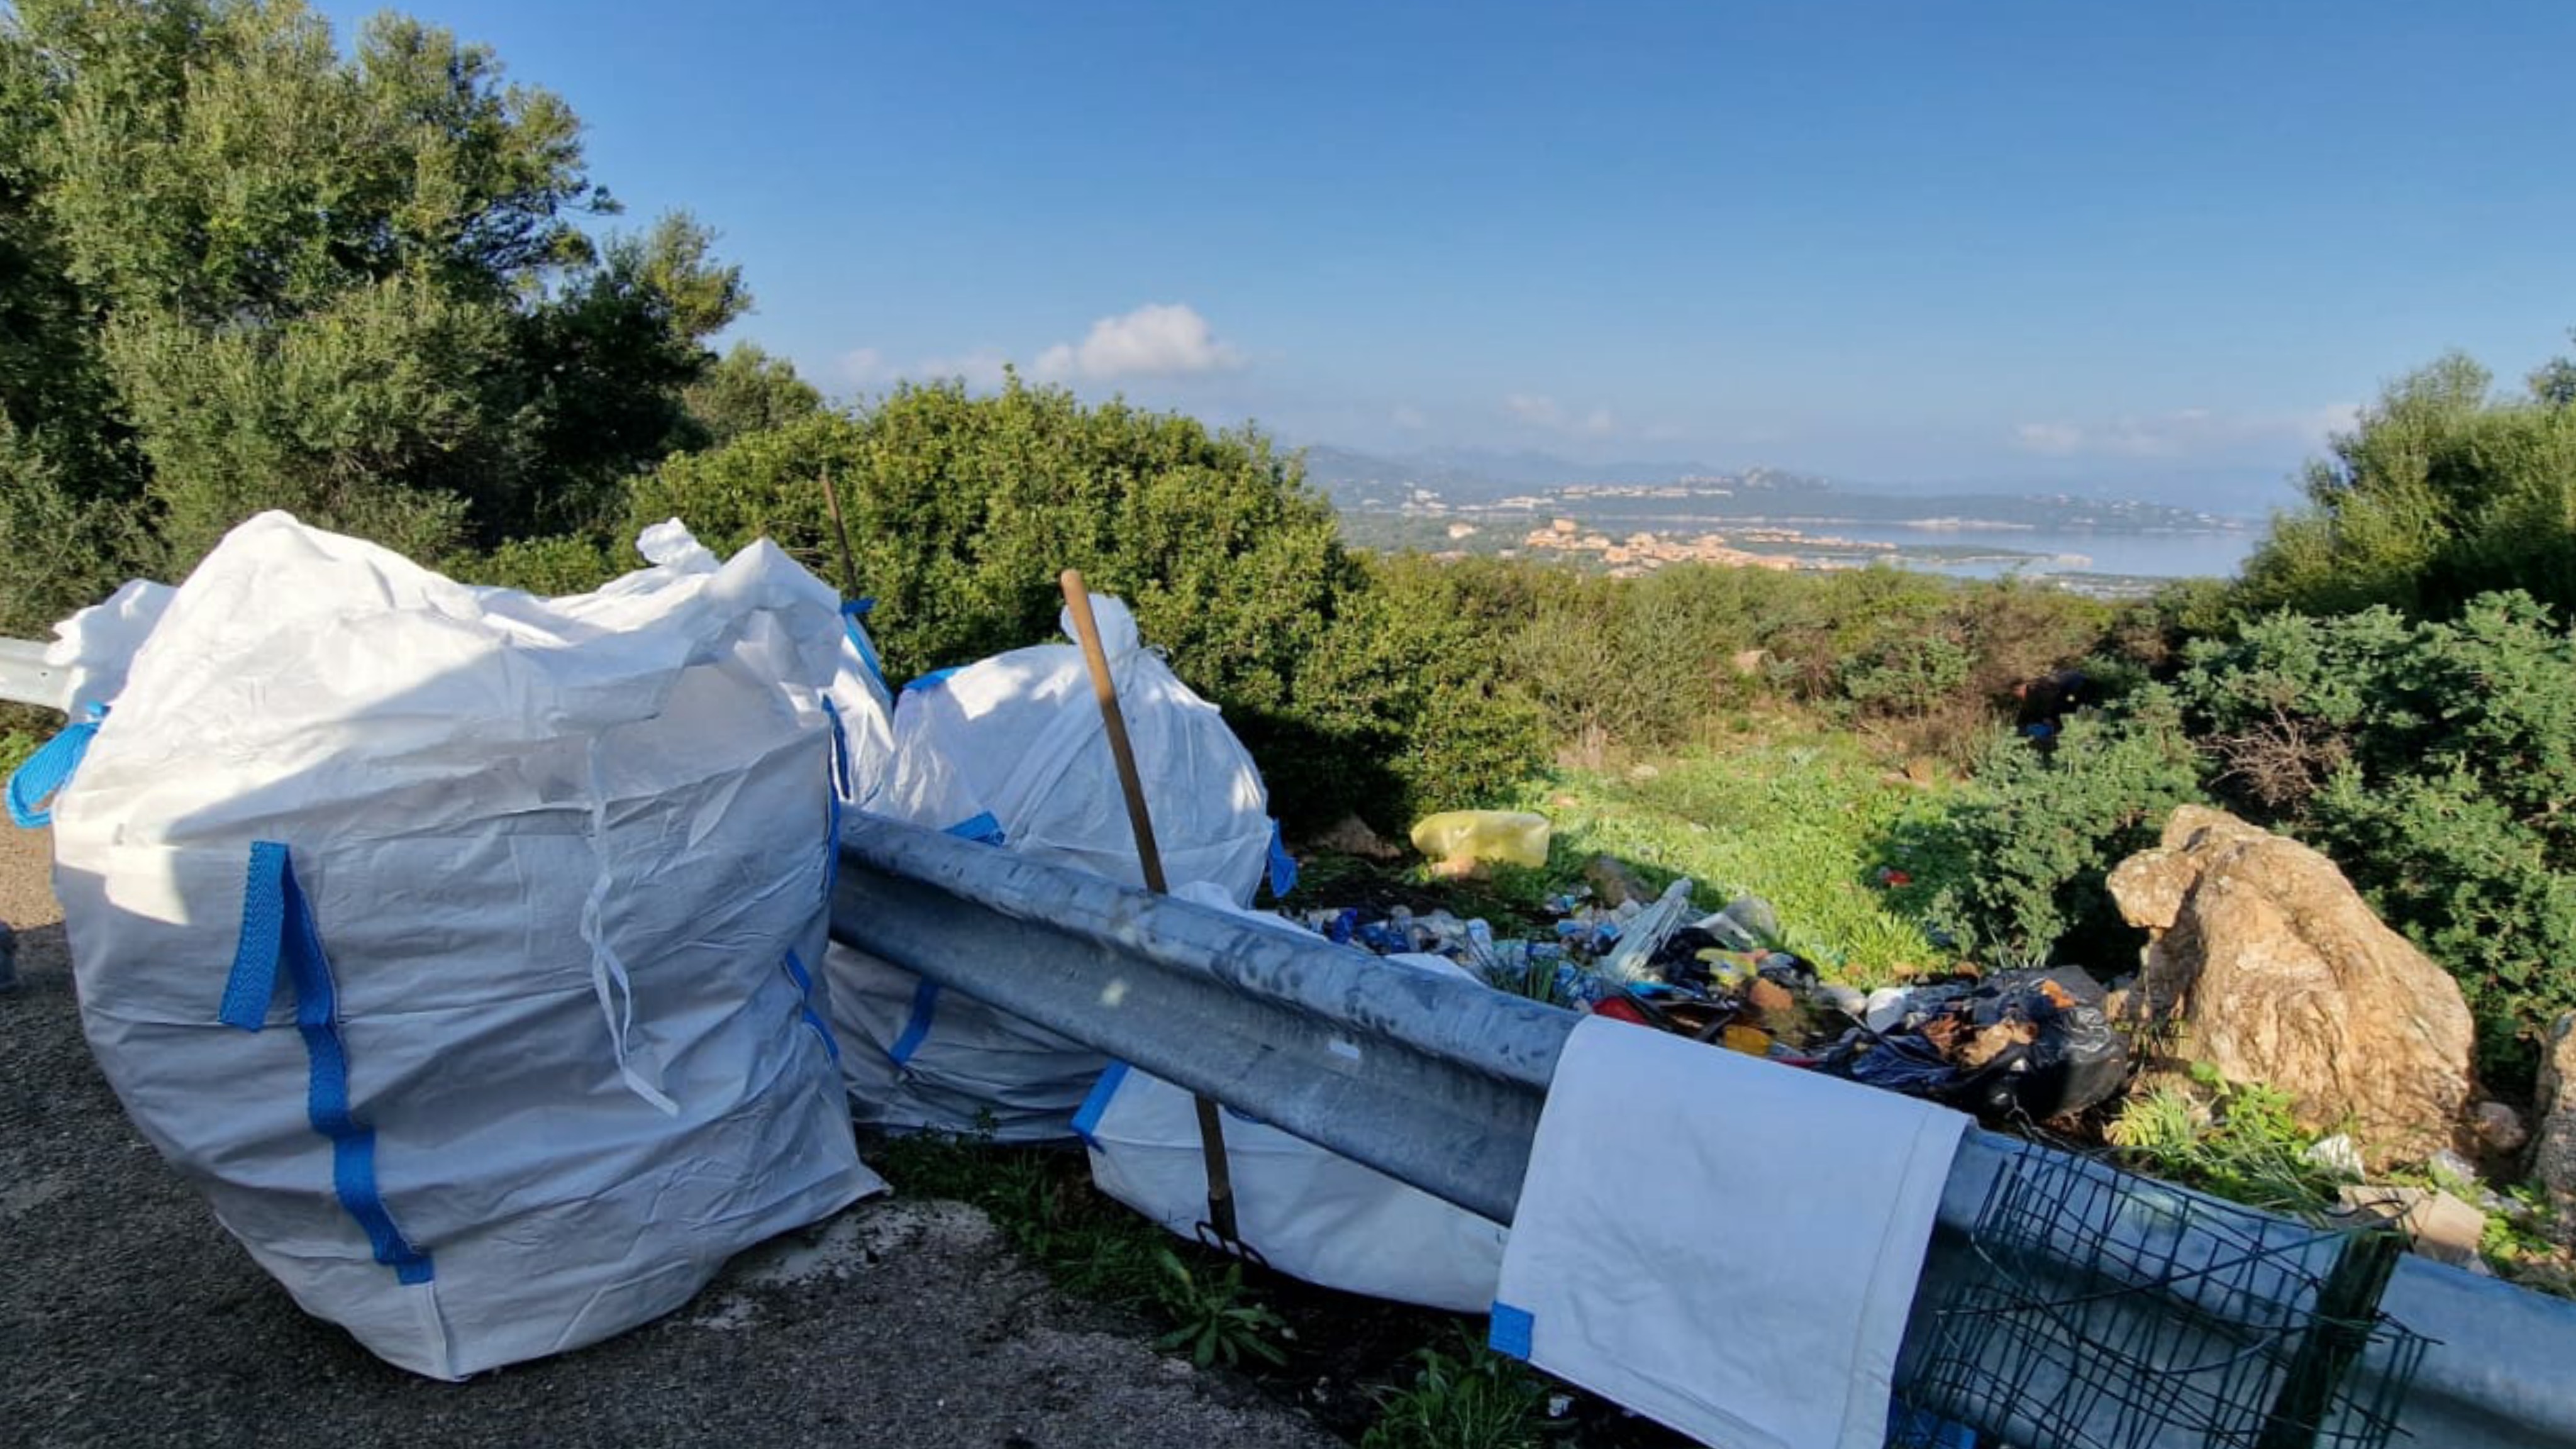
column 455, row 942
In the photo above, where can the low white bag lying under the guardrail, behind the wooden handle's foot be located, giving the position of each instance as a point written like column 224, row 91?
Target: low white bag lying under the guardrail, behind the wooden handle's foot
column 1310, row 1213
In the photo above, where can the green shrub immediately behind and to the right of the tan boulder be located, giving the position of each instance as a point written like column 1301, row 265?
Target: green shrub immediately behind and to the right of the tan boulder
column 2433, row 762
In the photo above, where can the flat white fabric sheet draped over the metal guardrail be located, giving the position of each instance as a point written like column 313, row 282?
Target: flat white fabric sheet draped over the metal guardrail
column 1763, row 1298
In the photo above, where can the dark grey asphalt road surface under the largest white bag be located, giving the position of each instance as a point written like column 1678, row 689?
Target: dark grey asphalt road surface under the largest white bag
column 128, row 1316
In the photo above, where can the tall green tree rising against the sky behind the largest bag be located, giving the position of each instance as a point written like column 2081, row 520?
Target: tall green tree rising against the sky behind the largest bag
column 261, row 275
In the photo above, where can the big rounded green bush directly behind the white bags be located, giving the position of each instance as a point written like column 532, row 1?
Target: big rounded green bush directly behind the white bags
column 965, row 509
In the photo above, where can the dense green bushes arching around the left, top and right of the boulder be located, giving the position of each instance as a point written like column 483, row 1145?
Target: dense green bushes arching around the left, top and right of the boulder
column 2430, row 759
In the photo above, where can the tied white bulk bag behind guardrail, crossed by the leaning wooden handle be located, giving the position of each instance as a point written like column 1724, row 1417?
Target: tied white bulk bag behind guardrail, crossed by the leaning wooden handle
column 1014, row 752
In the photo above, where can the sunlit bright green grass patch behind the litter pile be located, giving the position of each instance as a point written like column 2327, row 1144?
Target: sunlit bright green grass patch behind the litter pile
column 1802, row 819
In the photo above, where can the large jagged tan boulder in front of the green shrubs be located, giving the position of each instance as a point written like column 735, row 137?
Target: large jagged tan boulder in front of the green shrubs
column 2271, row 968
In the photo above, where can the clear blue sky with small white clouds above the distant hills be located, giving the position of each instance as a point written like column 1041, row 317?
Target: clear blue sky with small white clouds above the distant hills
column 2155, row 249
